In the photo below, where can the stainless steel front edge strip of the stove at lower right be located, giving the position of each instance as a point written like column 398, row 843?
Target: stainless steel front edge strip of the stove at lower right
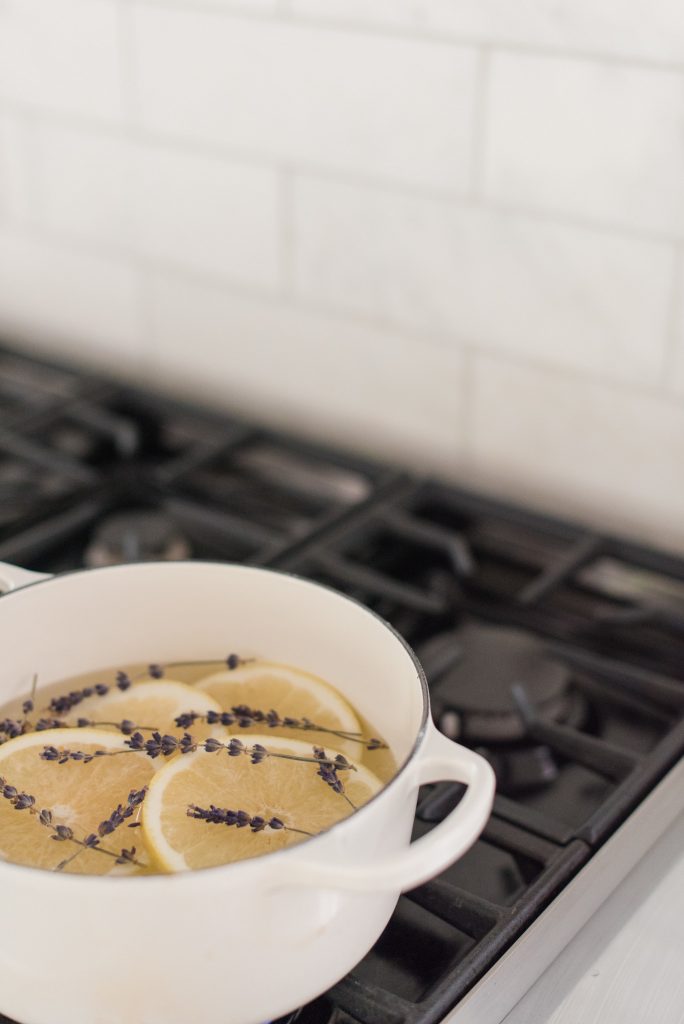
column 506, row 984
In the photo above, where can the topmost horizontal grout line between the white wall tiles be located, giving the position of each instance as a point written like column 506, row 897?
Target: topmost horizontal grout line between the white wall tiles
column 415, row 30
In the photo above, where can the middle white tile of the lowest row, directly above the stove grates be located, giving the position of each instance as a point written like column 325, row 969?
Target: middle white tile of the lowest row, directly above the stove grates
column 317, row 373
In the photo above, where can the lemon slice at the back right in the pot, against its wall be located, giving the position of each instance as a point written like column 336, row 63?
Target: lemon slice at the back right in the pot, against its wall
column 267, row 686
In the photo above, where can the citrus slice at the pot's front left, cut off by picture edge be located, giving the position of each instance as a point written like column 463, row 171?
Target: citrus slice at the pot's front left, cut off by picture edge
column 79, row 796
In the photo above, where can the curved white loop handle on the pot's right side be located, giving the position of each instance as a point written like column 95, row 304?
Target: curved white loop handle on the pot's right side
column 441, row 760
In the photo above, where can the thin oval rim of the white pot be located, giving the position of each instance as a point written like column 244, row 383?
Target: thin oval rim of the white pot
column 253, row 864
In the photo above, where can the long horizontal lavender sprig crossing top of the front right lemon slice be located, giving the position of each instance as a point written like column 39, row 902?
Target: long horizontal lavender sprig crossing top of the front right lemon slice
column 165, row 746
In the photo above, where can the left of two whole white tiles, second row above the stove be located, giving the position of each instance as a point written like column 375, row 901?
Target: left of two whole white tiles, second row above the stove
column 205, row 214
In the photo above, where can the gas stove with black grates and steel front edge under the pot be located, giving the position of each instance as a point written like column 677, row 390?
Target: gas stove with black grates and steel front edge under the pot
column 554, row 651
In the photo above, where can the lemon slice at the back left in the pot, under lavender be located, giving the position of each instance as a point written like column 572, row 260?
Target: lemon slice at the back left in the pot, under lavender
column 150, row 706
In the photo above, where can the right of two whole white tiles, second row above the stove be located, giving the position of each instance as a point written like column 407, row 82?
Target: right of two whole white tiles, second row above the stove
column 573, row 297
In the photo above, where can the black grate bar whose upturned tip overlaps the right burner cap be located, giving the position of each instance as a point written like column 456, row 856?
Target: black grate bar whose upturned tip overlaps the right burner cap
column 607, row 759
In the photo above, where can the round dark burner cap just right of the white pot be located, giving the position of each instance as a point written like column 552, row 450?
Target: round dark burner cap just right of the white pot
column 473, row 671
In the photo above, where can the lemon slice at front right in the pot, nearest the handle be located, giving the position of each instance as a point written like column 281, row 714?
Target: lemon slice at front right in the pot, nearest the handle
column 288, row 791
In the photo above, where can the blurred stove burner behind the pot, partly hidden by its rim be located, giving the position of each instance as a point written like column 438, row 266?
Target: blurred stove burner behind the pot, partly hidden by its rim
column 137, row 537
